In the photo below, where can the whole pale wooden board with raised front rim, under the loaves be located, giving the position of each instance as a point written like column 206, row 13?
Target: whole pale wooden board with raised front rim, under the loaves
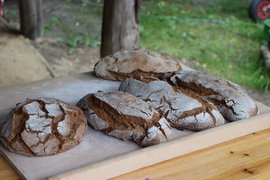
column 99, row 153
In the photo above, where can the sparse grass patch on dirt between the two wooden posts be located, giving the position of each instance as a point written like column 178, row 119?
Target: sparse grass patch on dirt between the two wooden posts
column 71, row 25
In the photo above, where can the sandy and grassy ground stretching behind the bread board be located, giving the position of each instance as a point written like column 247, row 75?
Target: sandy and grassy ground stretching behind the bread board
column 72, row 38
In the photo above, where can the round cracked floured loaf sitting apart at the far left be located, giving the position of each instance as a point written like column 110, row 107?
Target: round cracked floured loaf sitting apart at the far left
column 44, row 126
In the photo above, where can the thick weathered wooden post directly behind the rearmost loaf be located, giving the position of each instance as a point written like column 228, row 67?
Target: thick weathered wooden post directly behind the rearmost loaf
column 120, row 26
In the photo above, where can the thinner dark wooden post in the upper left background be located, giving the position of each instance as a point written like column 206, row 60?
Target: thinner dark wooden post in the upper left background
column 31, row 18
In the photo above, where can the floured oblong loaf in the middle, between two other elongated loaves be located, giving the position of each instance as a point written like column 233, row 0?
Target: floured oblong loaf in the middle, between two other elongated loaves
column 184, row 110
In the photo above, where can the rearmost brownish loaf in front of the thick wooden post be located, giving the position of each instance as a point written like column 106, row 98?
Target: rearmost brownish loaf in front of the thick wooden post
column 139, row 64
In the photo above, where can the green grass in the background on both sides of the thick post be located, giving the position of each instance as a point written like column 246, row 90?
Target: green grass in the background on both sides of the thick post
column 215, row 35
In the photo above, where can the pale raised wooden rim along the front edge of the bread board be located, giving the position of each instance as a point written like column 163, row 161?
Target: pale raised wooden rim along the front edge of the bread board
column 155, row 154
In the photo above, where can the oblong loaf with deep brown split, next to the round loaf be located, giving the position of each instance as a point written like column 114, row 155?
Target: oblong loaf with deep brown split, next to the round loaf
column 125, row 116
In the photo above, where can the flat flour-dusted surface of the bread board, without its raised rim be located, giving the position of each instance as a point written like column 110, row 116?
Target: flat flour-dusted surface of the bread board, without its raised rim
column 90, row 151
